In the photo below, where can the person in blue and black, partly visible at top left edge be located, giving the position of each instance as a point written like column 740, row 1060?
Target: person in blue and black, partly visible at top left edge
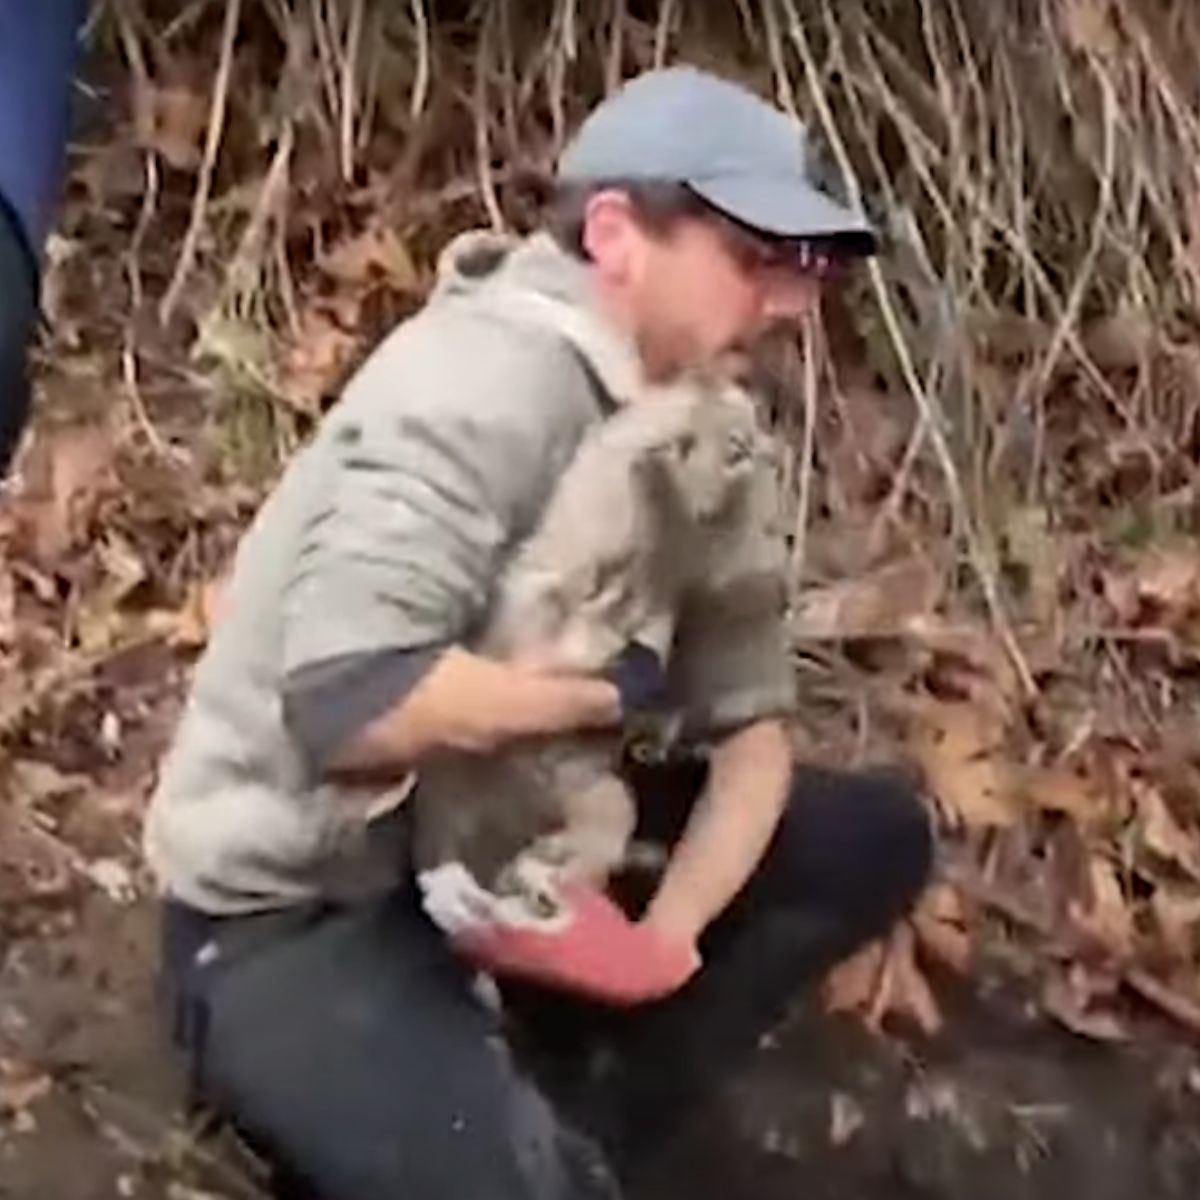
column 38, row 56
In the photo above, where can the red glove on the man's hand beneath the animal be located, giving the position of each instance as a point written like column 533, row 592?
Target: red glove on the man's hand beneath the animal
column 597, row 952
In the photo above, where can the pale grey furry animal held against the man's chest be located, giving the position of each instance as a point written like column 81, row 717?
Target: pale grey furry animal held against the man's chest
column 627, row 532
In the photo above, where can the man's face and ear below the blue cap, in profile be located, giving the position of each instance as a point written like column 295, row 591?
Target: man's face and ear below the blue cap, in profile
column 700, row 291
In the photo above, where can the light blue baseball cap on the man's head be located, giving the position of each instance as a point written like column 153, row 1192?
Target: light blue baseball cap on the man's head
column 746, row 158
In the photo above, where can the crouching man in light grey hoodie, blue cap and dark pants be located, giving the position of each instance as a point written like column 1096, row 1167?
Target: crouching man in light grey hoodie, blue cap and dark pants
column 326, row 1016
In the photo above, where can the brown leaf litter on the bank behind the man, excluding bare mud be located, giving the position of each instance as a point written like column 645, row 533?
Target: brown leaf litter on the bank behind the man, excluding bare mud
column 1055, row 542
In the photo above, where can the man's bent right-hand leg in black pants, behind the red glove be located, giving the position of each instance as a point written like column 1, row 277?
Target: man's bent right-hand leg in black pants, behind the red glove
column 851, row 856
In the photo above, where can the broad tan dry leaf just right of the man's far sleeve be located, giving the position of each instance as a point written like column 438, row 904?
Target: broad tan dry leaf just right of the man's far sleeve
column 875, row 605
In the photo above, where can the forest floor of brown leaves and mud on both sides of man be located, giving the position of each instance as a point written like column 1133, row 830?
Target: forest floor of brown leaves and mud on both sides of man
column 1033, row 1033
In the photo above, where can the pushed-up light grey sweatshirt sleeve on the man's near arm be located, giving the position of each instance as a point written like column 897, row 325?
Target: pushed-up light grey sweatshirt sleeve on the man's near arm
column 423, row 500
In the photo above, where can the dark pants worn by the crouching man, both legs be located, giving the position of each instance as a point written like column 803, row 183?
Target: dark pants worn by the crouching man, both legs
column 353, row 1051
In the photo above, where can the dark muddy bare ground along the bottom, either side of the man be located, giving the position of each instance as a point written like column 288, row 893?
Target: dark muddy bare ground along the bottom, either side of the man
column 1001, row 1106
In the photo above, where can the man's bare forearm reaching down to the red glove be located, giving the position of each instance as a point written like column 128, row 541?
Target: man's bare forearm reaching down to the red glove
column 728, row 833
